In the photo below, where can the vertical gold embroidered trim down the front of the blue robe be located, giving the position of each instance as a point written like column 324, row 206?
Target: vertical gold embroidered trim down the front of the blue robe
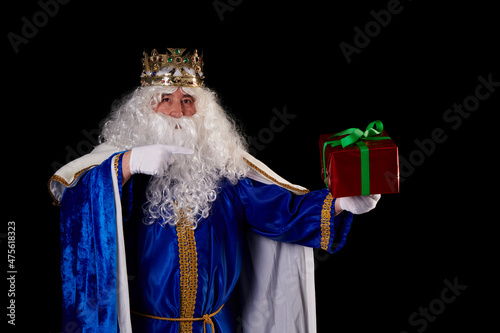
column 188, row 260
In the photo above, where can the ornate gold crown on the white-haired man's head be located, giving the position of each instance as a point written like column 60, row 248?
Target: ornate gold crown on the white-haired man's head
column 172, row 69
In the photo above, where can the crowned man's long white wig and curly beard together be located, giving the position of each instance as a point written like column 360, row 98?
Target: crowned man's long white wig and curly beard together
column 190, row 184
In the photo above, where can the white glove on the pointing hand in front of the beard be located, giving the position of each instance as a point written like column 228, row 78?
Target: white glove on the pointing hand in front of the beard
column 155, row 159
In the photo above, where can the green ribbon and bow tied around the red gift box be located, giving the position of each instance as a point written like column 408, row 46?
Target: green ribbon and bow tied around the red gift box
column 357, row 136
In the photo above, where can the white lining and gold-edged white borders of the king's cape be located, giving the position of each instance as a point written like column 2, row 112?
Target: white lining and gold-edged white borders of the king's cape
column 289, row 272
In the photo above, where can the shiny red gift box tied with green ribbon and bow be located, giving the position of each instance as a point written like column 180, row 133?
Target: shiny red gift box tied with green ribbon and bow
column 365, row 164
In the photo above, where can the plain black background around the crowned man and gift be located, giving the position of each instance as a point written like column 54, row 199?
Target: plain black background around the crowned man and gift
column 261, row 56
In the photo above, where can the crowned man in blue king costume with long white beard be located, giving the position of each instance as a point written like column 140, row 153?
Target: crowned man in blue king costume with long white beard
column 169, row 225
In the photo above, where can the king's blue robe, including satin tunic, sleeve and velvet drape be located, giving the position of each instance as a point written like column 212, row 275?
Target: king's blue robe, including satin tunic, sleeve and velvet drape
column 153, row 252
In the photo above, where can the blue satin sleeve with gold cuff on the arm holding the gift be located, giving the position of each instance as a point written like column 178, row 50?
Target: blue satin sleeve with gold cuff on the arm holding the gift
column 312, row 219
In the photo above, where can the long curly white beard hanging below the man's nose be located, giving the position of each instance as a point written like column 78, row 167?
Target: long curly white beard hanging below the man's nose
column 189, row 185
